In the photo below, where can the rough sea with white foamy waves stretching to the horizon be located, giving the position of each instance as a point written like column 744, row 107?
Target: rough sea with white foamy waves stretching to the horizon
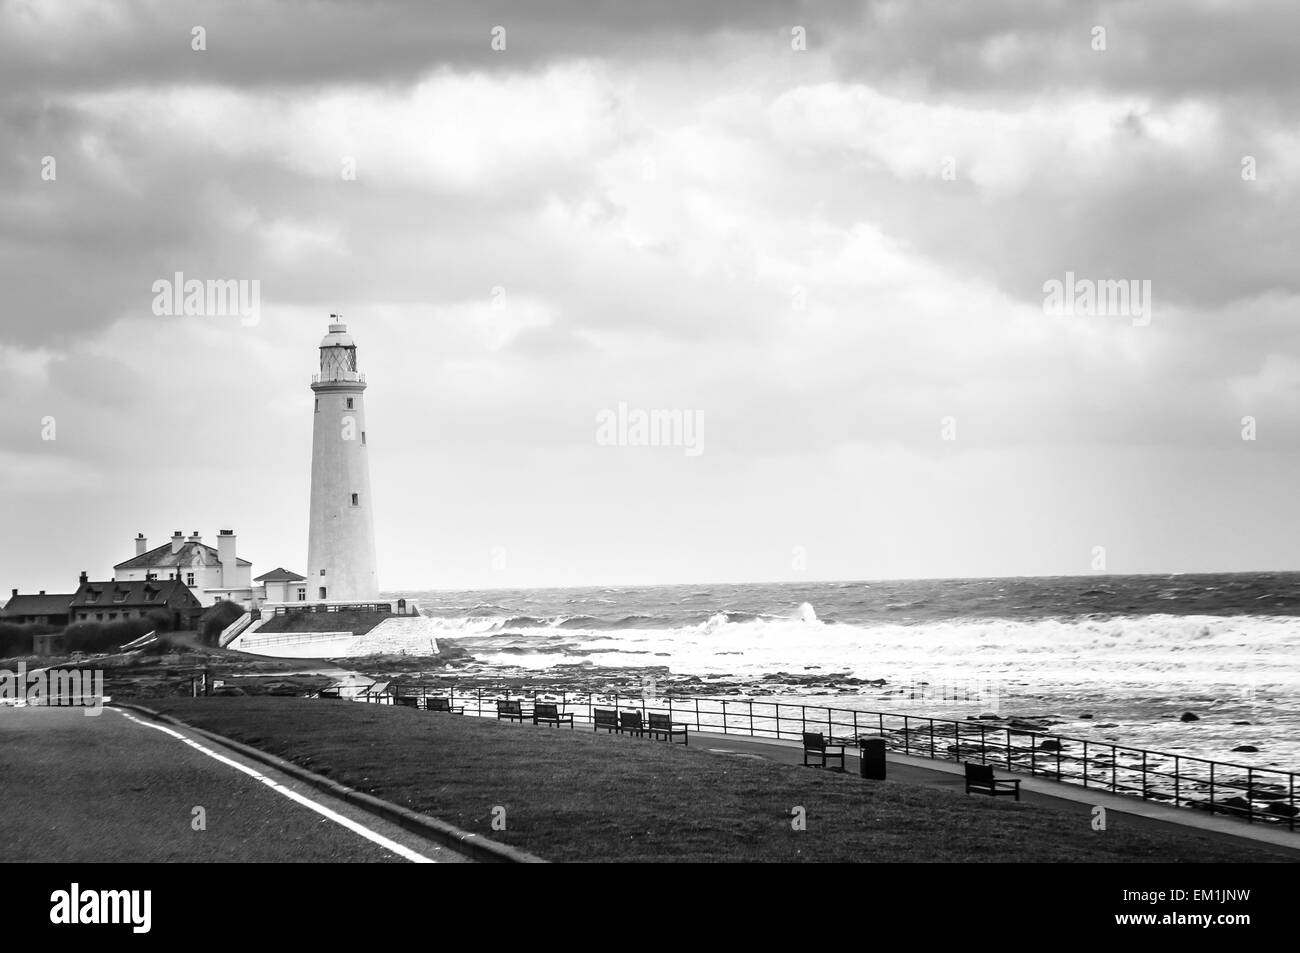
column 1117, row 659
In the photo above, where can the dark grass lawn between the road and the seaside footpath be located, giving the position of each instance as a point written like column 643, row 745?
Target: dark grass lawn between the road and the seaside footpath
column 580, row 796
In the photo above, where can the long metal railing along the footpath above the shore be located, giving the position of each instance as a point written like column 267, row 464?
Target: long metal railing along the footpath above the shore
column 1255, row 794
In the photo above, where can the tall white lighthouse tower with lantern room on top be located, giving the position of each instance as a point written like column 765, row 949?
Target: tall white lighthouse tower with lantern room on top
column 341, row 538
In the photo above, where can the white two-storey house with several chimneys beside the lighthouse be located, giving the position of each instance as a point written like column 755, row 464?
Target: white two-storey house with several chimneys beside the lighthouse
column 213, row 574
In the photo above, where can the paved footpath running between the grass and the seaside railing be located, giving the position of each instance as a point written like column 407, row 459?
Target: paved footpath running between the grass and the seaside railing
column 944, row 774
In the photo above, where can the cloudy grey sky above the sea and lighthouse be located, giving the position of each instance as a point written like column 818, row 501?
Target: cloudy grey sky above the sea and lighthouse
column 834, row 258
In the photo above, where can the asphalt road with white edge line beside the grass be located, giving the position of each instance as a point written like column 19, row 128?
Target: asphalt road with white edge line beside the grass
column 118, row 787
